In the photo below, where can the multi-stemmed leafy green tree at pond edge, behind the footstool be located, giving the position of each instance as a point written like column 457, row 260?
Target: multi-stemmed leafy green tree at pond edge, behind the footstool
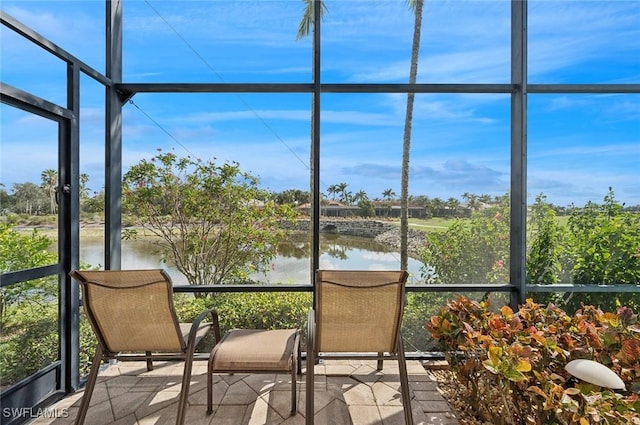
column 213, row 221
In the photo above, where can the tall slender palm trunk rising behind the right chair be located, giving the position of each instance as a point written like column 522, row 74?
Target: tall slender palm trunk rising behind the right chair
column 416, row 6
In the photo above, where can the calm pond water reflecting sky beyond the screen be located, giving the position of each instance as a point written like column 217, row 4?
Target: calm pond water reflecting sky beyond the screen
column 290, row 266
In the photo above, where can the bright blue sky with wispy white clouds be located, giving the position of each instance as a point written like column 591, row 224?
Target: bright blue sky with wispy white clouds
column 578, row 144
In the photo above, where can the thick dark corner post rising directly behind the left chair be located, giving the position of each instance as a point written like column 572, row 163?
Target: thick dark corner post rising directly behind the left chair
column 113, row 137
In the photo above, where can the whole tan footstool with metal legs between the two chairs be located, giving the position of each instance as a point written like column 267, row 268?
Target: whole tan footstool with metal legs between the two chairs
column 256, row 351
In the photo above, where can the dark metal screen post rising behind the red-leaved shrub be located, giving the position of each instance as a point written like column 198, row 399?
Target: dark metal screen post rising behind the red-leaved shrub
column 518, row 205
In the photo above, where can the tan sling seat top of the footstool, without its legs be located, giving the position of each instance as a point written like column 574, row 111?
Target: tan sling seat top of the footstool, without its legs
column 247, row 350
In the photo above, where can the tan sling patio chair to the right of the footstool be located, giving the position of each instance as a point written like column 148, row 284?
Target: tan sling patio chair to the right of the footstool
column 357, row 315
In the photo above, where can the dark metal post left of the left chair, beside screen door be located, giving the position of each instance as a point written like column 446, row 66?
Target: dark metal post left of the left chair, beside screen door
column 69, row 234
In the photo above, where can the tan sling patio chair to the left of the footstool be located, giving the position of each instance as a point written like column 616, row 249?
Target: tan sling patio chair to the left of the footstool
column 131, row 311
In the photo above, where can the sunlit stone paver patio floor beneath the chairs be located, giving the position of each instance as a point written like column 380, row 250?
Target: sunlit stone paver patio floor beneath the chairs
column 346, row 392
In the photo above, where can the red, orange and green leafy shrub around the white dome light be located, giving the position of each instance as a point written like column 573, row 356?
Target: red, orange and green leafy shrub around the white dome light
column 511, row 365
